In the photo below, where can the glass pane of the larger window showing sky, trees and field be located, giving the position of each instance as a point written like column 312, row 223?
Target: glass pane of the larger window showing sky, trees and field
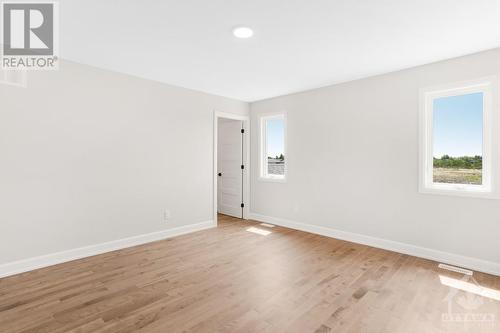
column 458, row 139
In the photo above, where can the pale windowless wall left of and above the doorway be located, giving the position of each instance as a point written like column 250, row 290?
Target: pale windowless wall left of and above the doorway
column 89, row 156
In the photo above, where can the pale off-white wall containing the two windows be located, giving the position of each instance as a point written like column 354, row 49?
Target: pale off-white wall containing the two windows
column 352, row 155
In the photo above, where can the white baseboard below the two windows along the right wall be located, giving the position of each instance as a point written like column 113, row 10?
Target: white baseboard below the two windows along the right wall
column 413, row 250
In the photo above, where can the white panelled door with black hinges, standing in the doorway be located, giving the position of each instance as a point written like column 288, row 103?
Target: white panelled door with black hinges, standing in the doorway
column 229, row 162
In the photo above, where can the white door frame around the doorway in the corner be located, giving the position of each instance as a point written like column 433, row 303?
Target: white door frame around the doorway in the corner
column 246, row 173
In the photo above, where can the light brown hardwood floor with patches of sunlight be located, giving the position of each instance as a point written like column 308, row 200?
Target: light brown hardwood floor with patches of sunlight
column 230, row 279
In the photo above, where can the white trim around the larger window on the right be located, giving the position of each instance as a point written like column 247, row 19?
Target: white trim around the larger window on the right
column 427, row 185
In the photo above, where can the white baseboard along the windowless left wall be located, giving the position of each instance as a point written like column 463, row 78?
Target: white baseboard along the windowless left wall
column 30, row 264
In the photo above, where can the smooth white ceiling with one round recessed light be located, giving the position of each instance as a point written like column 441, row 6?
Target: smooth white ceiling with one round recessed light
column 297, row 45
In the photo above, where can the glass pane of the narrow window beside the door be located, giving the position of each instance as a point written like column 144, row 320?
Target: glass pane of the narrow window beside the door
column 275, row 139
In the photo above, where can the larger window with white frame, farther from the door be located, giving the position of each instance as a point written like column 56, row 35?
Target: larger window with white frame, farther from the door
column 456, row 140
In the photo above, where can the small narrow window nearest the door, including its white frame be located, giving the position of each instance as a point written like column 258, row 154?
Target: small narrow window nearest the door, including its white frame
column 273, row 156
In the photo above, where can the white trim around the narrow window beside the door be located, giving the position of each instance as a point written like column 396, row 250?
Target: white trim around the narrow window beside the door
column 263, row 175
